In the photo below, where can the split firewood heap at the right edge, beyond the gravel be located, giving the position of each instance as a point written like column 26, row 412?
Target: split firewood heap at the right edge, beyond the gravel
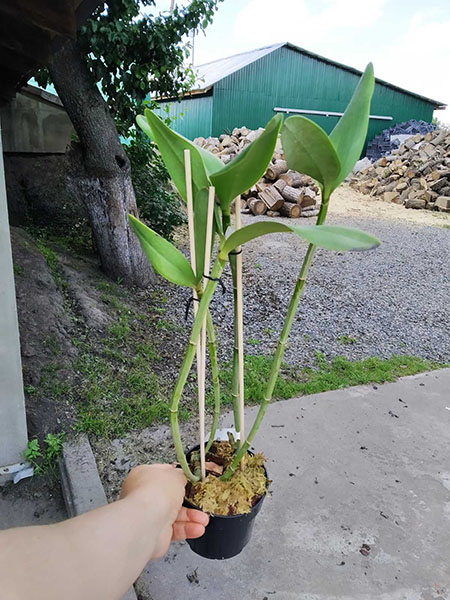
column 416, row 175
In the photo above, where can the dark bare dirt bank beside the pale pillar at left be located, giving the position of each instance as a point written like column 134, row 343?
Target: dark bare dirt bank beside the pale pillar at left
column 45, row 334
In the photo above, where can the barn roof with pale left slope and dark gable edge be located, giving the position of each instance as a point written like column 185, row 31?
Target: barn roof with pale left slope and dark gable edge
column 212, row 72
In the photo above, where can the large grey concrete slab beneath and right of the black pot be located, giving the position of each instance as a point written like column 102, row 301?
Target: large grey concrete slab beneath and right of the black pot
column 360, row 506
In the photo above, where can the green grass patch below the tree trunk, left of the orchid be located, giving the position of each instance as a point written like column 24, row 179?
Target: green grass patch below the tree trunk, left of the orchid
column 118, row 389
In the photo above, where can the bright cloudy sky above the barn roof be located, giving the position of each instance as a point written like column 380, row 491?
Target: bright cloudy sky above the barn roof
column 408, row 41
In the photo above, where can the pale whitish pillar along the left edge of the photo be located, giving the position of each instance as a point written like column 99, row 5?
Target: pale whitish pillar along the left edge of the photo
column 13, row 427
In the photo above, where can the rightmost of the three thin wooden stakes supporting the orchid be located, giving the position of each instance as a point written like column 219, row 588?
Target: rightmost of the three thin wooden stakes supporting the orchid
column 240, row 324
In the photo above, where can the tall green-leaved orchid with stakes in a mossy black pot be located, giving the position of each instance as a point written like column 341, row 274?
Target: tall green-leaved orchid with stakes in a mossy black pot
column 224, row 478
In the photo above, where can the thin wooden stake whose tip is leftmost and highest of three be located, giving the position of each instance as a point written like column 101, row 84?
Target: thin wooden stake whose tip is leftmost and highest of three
column 199, row 350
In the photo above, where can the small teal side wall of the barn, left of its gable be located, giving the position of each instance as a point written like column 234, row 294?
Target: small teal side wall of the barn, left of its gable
column 192, row 115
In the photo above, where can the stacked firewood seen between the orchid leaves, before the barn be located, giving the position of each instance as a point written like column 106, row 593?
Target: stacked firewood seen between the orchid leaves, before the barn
column 281, row 192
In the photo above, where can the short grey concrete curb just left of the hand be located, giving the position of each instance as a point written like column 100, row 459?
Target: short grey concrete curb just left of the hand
column 81, row 486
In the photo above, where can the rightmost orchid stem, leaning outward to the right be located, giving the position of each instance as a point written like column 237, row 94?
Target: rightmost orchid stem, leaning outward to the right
column 276, row 363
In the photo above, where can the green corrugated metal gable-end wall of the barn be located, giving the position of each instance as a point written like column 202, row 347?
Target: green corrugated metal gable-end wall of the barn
column 289, row 79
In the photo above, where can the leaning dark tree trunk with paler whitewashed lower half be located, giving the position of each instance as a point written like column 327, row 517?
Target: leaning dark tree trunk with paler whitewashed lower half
column 101, row 171
